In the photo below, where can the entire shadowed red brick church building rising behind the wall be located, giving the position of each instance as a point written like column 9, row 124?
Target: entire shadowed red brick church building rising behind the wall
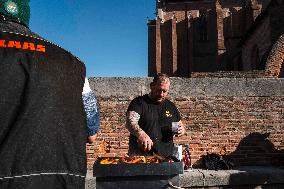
column 213, row 35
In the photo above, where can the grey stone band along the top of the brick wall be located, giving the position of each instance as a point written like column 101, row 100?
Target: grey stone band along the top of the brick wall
column 127, row 88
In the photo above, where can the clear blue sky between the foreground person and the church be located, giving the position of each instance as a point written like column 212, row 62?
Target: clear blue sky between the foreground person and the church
column 110, row 37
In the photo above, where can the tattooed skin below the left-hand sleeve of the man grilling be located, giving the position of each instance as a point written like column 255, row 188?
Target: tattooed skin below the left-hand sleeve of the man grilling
column 132, row 119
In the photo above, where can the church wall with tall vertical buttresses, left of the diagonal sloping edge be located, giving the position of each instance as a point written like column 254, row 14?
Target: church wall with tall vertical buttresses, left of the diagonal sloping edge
column 197, row 35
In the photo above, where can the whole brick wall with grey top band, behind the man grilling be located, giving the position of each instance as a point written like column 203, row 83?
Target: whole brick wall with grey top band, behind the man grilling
column 244, row 116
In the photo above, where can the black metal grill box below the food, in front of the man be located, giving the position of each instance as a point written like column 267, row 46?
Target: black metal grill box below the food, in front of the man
column 137, row 176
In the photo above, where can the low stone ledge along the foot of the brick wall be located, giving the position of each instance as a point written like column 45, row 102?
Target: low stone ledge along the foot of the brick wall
column 250, row 175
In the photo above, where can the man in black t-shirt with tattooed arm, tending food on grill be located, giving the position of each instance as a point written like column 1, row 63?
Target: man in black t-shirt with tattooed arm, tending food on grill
column 149, row 119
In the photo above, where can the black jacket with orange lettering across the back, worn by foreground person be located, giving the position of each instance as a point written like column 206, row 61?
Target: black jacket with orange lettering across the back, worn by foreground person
column 42, row 119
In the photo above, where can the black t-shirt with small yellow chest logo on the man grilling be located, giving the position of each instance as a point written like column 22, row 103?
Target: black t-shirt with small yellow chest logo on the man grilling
column 155, row 119
